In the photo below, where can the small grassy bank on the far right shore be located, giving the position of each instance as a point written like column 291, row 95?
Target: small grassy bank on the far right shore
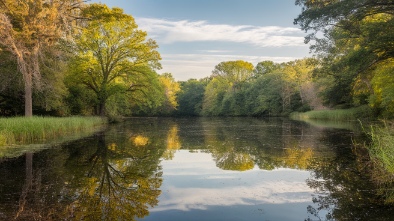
column 362, row 112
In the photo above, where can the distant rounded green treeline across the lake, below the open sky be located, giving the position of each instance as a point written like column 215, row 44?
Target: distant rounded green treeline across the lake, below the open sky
column 237, row 88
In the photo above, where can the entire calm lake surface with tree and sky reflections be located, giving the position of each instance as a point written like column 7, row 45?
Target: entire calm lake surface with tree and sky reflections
column 172, row 169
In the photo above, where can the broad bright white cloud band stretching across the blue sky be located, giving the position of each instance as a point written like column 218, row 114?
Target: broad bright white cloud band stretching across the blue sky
column 167, row 32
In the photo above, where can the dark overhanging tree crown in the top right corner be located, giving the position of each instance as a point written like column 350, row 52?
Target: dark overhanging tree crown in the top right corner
column 367, row 23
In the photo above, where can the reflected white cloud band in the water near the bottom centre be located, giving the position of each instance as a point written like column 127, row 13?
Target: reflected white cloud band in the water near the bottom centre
column 281, row 192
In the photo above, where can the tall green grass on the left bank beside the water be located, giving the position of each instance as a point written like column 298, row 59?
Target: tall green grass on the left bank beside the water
column 22, row 130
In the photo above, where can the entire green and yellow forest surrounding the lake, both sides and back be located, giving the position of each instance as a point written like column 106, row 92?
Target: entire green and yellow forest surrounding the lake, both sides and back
column 64, row 58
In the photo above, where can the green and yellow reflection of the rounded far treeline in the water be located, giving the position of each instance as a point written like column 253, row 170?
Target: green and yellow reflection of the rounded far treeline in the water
column 267, row 144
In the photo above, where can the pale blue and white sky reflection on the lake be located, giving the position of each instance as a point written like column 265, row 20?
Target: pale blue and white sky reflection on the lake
column 202, row 191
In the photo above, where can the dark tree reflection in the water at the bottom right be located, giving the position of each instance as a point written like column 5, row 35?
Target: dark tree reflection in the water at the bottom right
column 344, row 187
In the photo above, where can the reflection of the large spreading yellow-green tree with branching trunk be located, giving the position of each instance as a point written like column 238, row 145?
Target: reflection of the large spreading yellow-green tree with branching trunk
column 119, row 183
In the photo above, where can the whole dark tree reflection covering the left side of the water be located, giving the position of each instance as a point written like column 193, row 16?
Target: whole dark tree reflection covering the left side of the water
column 105, row 177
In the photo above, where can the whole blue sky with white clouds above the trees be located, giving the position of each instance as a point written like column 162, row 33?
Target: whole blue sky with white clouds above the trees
column 196, row 35
